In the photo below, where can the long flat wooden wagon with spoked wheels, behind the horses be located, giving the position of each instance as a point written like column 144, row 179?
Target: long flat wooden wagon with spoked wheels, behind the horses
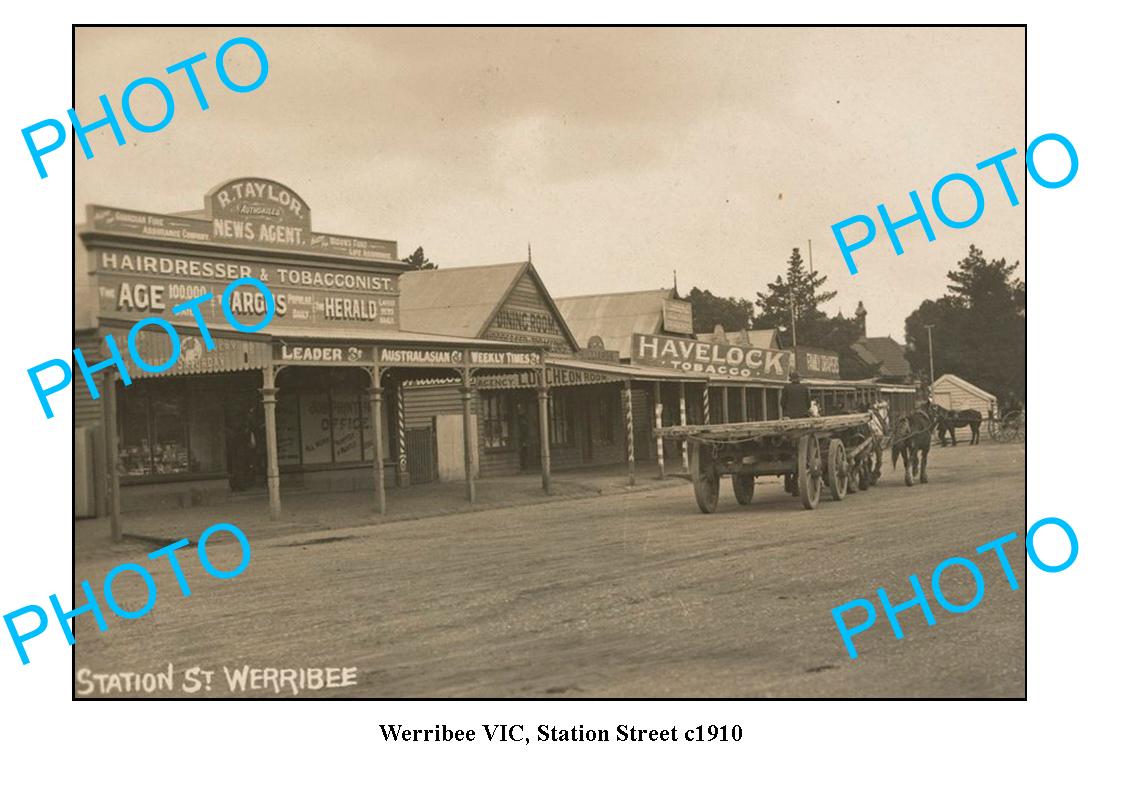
column 838, row 450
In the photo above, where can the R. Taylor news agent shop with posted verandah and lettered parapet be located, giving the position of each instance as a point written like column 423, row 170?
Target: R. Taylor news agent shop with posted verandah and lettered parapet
column 312, row 402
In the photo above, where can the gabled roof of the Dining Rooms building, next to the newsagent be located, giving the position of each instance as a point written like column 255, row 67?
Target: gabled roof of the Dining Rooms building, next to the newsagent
column 462, row 303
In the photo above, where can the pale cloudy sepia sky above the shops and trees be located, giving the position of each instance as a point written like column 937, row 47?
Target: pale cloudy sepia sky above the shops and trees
column 620, row 155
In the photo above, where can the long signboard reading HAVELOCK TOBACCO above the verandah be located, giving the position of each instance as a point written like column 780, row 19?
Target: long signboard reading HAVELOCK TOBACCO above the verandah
column 710, row 359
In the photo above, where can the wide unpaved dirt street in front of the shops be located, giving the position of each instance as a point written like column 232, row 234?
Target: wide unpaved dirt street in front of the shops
column 622, row 597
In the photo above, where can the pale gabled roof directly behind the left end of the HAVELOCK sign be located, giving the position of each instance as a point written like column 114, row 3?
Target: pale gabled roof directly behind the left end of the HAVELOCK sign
column 616, row 317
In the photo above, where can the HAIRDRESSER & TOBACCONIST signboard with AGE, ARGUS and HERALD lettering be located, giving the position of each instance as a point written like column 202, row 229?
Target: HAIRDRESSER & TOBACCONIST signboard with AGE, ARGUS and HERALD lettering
column 136, row 283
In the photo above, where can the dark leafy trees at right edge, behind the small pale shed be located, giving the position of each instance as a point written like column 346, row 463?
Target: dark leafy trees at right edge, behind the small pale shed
column 979, row 327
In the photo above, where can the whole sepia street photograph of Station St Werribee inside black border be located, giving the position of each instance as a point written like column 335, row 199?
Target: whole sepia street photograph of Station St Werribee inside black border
column 547, row 363
